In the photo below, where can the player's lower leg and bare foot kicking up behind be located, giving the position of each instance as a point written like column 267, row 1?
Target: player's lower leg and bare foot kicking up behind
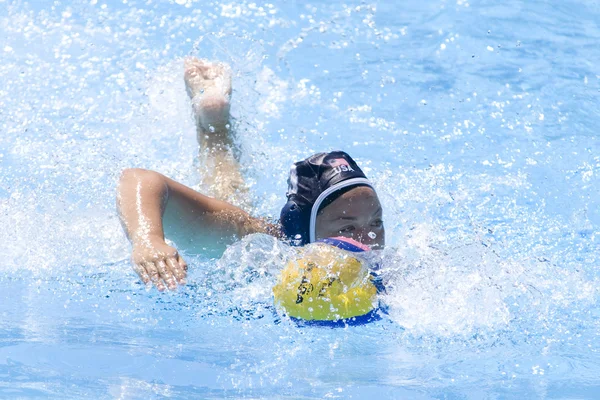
column 209, row 86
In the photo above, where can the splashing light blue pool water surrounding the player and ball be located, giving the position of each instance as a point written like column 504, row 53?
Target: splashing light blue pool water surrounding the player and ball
column 477, row 121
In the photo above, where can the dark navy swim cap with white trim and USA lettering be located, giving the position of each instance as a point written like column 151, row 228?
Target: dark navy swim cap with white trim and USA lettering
column 312, row 183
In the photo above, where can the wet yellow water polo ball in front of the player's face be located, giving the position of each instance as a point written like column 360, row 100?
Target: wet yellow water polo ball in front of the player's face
column 325, row 283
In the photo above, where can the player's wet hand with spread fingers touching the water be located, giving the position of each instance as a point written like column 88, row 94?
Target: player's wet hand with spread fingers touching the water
column 157, row 262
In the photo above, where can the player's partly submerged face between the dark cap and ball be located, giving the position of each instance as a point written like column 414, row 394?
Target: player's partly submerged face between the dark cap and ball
column 356, row 214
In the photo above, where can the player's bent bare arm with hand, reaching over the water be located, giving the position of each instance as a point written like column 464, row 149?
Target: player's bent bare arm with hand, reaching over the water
column 147, row 199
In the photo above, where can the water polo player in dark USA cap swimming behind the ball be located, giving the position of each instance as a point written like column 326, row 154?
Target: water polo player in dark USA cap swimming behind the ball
column 328, row 195
